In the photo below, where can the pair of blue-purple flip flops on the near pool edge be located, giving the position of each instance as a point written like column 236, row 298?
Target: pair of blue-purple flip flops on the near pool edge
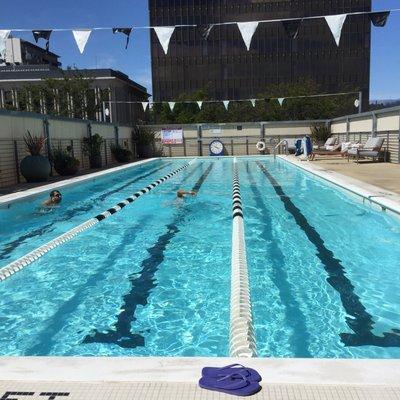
column 233, row 379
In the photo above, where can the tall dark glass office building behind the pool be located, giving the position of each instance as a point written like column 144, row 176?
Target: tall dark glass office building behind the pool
column 224, row 67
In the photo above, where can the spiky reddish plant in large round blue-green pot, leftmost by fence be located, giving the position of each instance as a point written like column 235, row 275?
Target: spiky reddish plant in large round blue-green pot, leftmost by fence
column 35, row 167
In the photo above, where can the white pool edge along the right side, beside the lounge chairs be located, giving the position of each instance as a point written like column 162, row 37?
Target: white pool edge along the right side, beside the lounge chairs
column 382, row 199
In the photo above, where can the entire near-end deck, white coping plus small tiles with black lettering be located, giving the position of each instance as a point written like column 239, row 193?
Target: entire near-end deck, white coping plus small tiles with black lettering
column 176, row 378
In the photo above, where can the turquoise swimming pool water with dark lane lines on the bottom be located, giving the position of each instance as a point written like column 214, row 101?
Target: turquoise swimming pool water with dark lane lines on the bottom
column 154, row 279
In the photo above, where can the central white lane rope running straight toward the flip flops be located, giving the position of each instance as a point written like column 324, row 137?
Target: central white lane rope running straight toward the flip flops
column 242, row 338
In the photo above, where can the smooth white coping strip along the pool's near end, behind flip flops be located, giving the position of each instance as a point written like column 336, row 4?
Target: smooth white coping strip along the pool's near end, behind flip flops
column 149, row 369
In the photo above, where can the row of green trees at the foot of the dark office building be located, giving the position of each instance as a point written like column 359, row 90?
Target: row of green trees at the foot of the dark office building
column 265, row 110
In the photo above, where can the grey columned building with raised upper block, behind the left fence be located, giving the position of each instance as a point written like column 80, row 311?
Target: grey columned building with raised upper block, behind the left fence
column 111, row 92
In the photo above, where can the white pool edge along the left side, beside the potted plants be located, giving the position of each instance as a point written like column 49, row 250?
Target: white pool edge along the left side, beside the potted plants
column 46, row 187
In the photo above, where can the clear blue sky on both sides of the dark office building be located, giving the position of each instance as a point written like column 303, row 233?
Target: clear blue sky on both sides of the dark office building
column 107, row 50
